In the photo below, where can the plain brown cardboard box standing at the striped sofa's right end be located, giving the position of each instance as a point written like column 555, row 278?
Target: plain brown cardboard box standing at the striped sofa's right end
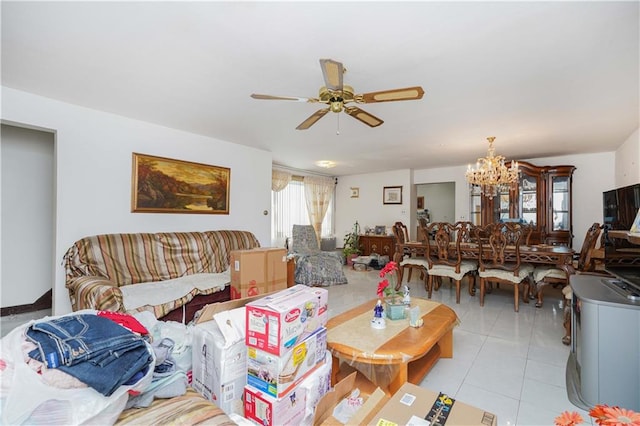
column 258, row 271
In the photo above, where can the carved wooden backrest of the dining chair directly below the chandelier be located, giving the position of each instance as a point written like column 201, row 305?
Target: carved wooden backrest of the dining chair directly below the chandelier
column 499, row 246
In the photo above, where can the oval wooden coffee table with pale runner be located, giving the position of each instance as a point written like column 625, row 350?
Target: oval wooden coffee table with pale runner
column 397, row 354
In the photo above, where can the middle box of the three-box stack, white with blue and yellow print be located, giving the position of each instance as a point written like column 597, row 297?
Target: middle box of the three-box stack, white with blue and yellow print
column 277, row 375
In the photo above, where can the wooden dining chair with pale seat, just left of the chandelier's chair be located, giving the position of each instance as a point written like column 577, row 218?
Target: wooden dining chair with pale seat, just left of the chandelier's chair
column 444, row 255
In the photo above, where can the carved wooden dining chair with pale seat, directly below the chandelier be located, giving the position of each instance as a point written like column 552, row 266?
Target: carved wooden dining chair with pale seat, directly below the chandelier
column 499, row 259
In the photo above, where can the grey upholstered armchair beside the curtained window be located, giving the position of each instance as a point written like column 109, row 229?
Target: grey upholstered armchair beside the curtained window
column 313, row 266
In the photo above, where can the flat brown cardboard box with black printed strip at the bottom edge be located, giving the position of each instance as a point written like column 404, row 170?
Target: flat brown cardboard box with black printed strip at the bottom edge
column 413, row 402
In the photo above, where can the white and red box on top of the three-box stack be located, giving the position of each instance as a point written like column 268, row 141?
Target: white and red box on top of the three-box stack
column 277, row 322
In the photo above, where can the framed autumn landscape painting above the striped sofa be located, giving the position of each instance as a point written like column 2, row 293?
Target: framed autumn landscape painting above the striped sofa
column 164, row 185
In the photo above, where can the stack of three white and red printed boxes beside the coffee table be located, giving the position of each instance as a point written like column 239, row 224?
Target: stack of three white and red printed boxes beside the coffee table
column 286, row 340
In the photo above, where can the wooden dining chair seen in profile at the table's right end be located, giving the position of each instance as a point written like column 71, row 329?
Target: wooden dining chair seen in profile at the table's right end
column 544, row 275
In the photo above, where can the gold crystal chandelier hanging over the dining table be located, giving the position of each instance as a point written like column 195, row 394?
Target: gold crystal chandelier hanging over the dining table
column 491, row 174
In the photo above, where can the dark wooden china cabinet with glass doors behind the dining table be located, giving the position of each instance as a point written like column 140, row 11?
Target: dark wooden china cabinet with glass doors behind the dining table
column 542, row 199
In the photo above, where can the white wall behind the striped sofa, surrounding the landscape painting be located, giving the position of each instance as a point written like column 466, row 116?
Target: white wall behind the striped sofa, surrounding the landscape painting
column 93, row 175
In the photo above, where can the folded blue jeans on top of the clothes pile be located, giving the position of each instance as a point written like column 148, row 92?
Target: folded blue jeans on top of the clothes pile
column 93, row 349
